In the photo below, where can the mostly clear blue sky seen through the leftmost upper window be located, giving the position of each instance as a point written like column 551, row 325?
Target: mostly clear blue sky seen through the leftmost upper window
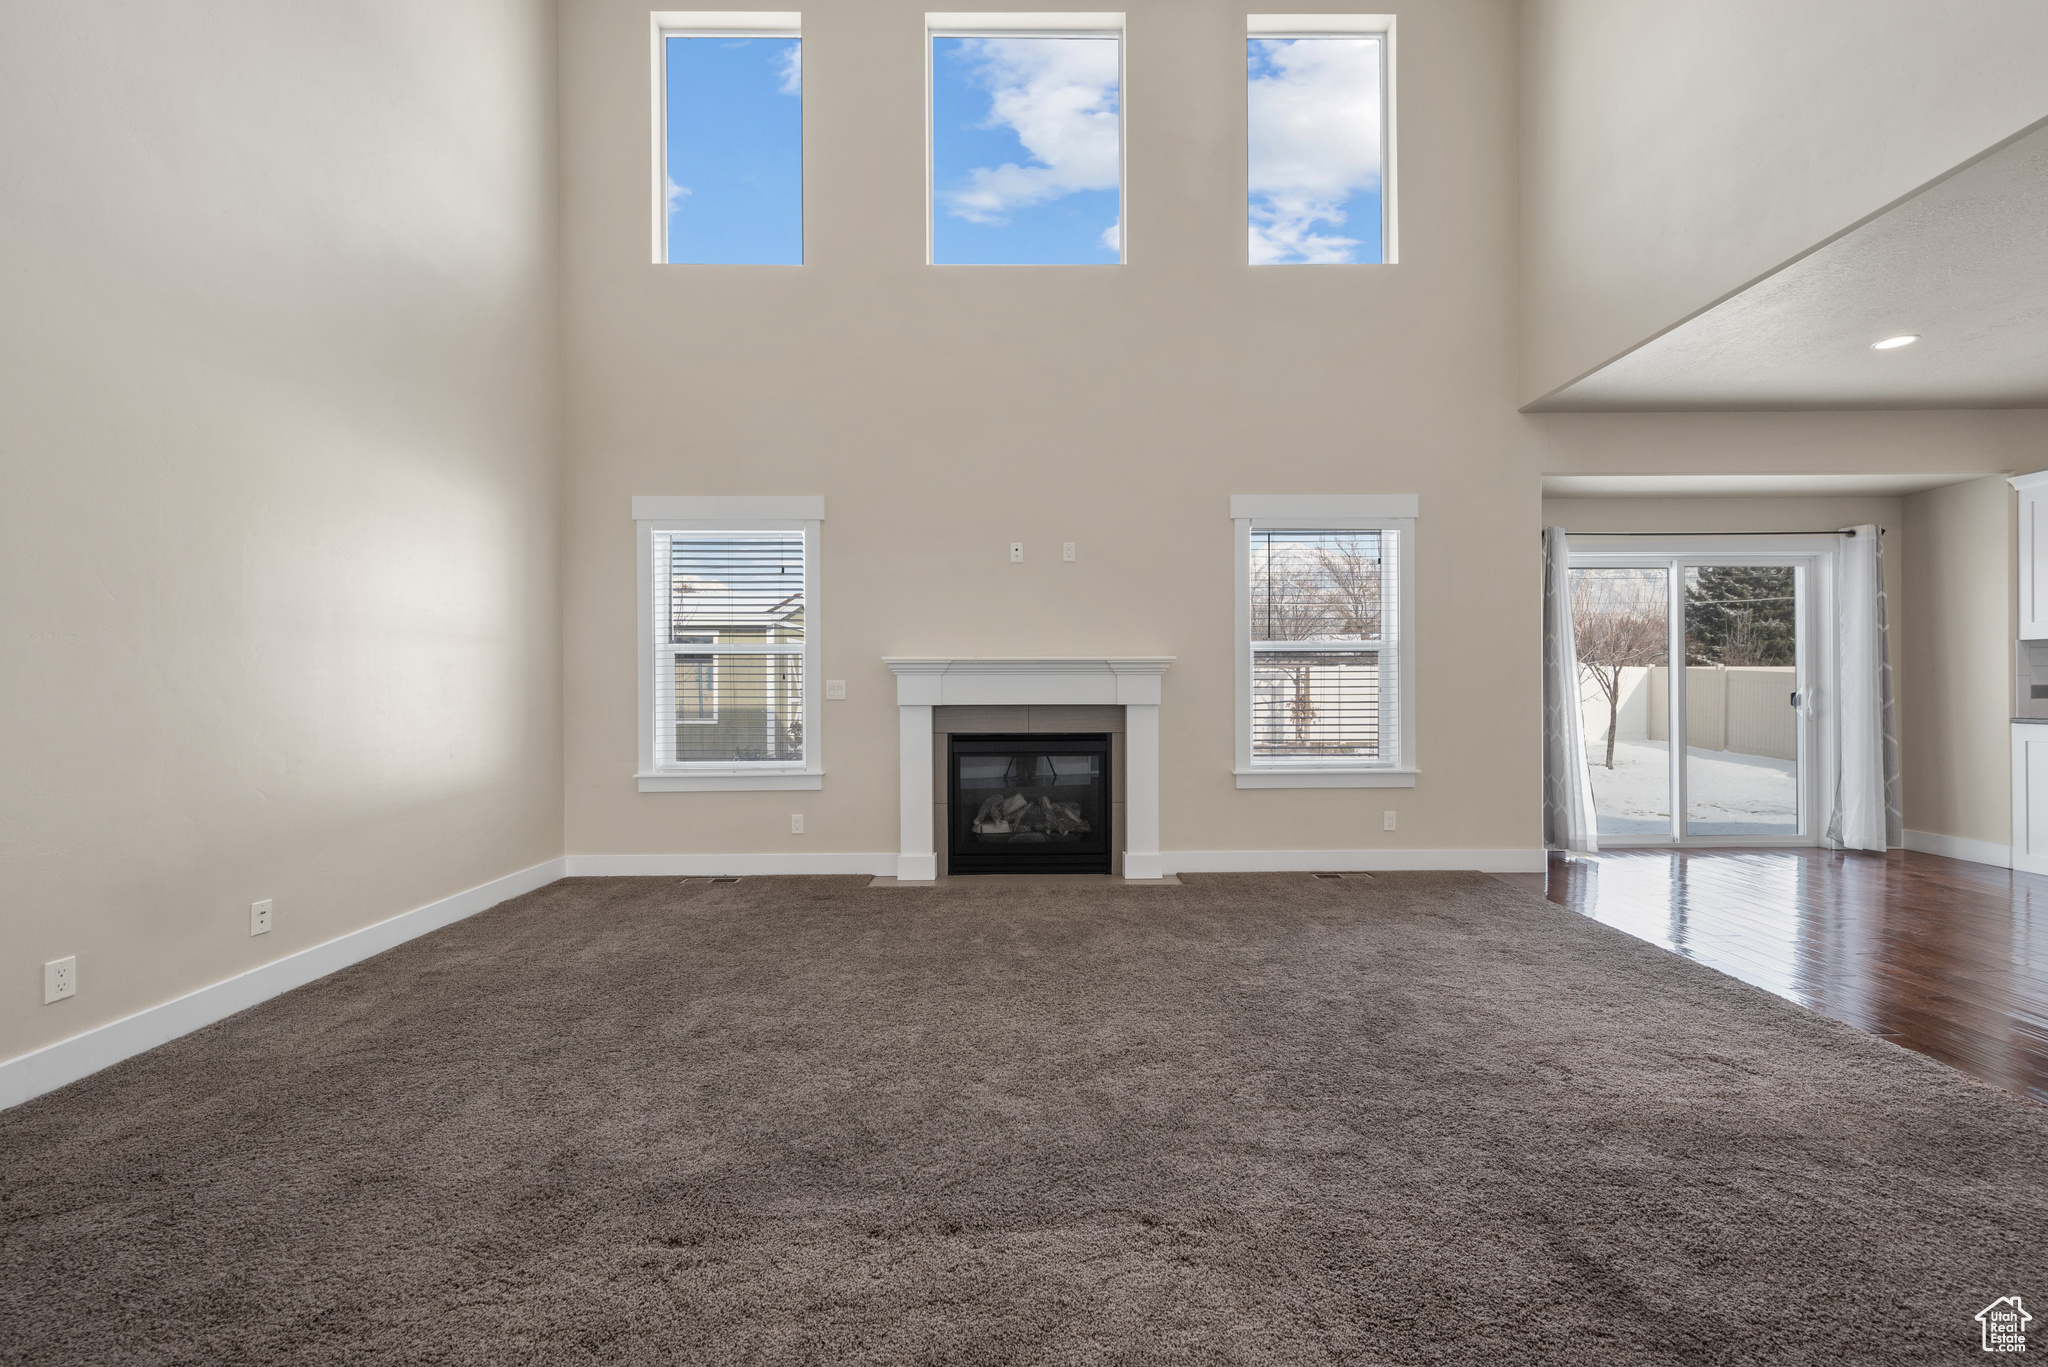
column 736, row 153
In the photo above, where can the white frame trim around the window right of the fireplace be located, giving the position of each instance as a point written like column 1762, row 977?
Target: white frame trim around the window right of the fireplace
column 1332, row 513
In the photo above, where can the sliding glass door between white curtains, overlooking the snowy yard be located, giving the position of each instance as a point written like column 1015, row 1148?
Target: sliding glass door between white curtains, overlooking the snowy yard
column 1723, row 640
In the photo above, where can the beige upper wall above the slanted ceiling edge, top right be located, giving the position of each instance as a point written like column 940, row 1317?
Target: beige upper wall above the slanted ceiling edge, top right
column 1676, row 151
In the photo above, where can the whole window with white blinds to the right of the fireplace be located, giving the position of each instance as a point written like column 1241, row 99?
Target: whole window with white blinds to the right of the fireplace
column 1322, row 628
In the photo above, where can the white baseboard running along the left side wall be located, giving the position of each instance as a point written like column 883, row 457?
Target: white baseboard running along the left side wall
column 69, row 1061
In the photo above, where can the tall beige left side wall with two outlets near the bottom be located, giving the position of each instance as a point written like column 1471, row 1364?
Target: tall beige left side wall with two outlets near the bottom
column 280, row 522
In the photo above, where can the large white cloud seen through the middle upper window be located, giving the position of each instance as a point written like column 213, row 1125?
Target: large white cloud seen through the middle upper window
column 1060, row 99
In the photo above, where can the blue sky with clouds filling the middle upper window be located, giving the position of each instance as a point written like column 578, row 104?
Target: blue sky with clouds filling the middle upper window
column 1025, row 151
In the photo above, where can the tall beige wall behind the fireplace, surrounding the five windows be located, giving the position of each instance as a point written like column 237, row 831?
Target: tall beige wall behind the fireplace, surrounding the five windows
column 945, row 413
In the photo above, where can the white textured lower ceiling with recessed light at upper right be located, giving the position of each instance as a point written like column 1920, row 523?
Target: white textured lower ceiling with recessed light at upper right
column 1963, row 263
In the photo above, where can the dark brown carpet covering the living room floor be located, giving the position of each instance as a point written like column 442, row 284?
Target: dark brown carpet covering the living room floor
column 1248, row 1120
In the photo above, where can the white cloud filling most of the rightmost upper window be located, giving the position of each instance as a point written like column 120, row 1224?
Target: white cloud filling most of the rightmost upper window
column 1316, row 142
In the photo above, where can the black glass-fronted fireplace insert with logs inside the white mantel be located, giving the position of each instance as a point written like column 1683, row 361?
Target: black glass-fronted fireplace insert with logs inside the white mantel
column 1029, row 804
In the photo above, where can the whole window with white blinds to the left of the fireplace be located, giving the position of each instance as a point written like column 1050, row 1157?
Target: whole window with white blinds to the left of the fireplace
column 730, row 651
